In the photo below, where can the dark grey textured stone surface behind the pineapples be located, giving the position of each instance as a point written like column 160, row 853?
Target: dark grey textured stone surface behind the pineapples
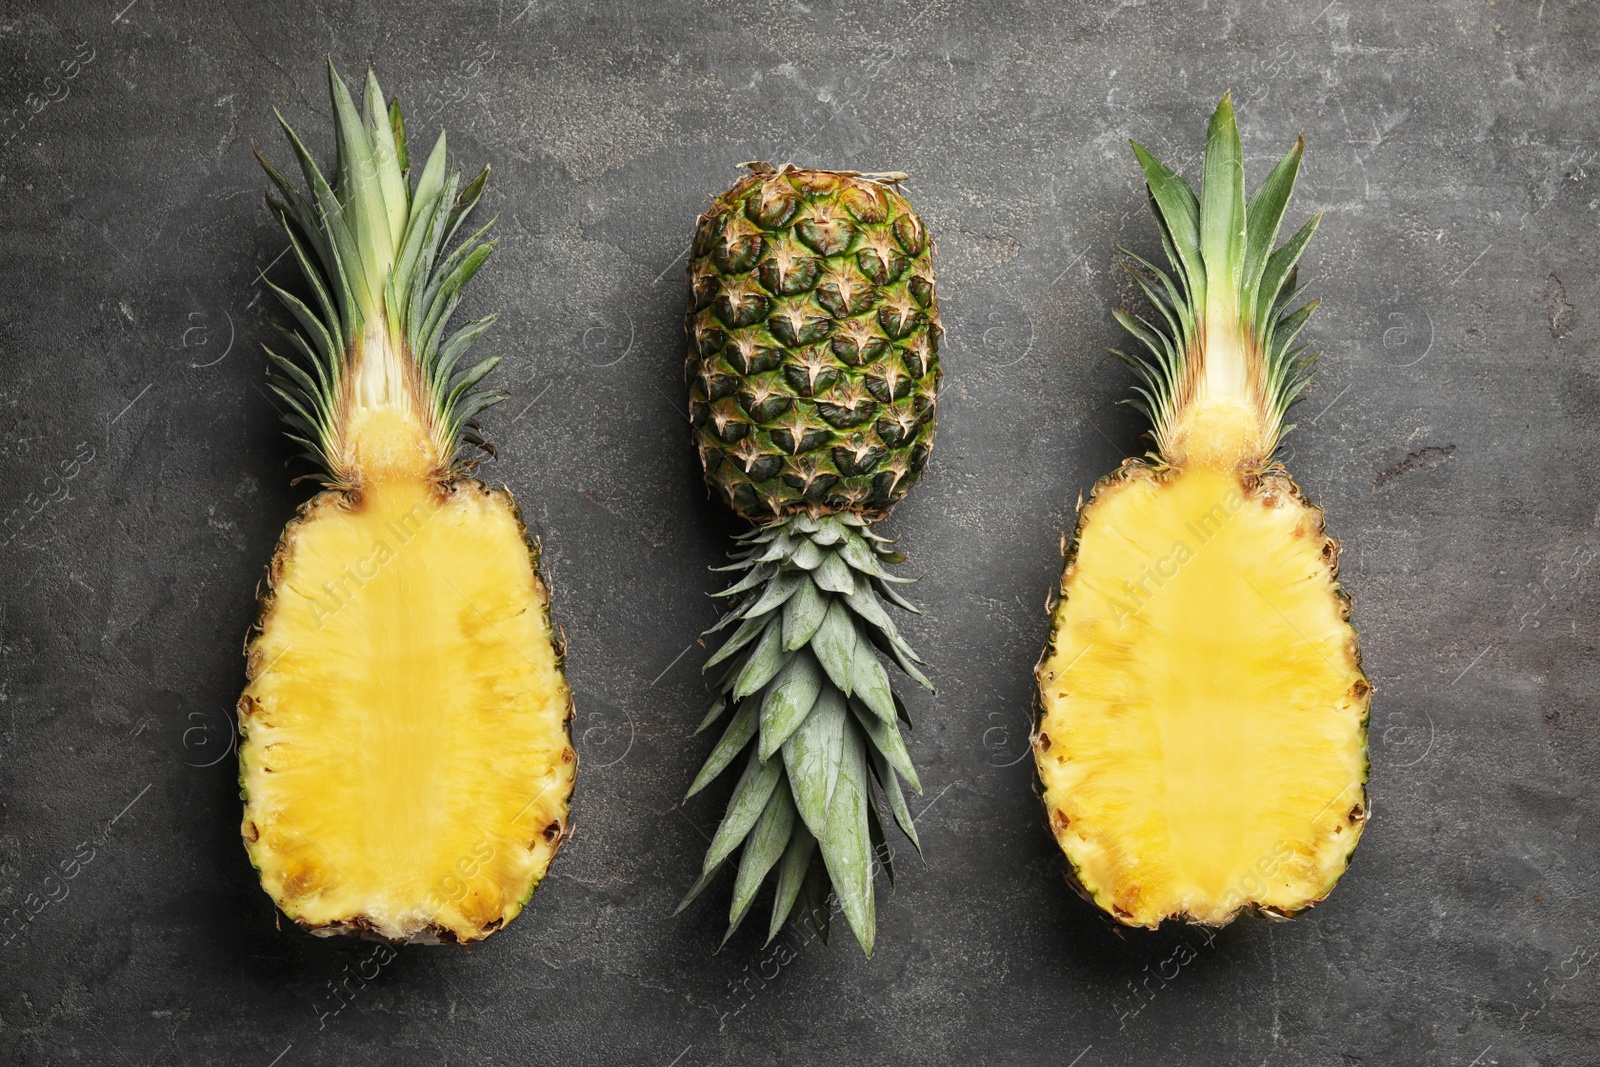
column 1457, row 153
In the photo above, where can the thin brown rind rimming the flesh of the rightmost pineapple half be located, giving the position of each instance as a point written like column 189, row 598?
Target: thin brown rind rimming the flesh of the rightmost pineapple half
column 1116, row 901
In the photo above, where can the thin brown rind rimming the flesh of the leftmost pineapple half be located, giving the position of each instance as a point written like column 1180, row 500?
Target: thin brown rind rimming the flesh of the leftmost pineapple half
column 433, row 927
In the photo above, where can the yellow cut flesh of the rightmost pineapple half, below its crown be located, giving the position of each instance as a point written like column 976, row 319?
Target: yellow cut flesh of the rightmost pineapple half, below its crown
column 1204, row 732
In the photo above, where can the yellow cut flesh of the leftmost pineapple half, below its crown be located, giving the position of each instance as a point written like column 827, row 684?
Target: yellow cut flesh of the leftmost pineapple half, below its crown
column 407, row 764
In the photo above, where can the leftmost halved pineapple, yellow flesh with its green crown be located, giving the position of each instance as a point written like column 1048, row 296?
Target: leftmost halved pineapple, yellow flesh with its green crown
column 406, row 759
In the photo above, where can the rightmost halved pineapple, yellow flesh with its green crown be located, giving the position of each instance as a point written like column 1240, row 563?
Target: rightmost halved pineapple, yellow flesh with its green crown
column 1202, row 735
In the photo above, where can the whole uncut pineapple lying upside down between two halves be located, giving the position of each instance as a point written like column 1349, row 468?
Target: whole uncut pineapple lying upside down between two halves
column 815, row 374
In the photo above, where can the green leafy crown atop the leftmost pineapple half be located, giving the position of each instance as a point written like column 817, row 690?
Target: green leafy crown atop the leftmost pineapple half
column 374, row 252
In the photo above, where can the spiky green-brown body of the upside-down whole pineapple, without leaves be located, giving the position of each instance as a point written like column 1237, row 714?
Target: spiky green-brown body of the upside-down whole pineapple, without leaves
column 814, row 343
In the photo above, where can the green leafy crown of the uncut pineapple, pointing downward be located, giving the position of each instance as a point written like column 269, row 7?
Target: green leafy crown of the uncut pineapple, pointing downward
column 815, row 722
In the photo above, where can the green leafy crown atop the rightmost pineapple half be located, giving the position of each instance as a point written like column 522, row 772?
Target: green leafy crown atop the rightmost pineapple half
column 1220, row 370
